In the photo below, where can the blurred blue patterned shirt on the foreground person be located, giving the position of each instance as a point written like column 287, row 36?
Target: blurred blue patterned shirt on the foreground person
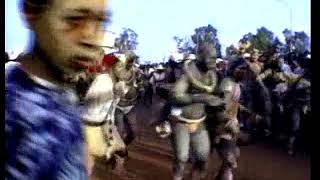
column 43, row 131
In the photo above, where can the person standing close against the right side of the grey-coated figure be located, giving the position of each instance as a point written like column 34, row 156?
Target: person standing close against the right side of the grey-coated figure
column 226, row 127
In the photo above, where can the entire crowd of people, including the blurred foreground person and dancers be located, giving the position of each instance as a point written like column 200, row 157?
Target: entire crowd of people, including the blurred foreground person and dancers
column 68, row 102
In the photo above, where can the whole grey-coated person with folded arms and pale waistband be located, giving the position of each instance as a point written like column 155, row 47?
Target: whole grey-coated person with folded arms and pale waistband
column 193, row 91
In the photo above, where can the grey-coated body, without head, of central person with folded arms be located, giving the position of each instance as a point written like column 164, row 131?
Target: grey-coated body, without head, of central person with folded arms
column 189, row 100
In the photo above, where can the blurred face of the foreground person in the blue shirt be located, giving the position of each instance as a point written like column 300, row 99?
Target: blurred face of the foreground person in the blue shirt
column 69, row 33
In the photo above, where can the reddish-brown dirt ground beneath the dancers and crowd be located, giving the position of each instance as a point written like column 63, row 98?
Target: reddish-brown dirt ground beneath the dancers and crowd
column 150, row 158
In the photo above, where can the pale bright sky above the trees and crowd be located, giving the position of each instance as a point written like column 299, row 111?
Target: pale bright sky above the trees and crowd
column 157, row 21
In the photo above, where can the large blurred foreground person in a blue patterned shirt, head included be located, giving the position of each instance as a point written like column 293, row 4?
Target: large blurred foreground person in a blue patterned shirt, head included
column 42, row 122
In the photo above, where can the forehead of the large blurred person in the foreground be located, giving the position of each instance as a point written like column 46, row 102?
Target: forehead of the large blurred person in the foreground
column 82, row 6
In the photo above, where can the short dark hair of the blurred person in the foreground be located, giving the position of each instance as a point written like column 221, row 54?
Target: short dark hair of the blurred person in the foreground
column 34, row 6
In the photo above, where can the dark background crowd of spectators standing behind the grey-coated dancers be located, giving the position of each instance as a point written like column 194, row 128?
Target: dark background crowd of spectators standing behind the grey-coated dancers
column 276, row 87
